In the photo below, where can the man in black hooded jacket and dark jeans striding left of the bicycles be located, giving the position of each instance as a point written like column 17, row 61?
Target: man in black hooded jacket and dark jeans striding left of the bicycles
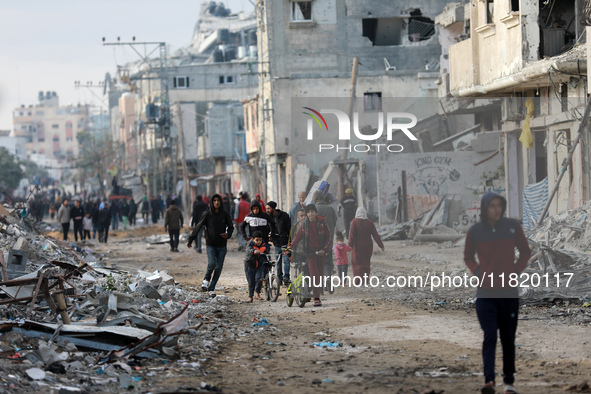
column 219, row 228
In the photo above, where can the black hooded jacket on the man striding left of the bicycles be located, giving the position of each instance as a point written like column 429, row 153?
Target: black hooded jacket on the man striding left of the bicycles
column 216, row 223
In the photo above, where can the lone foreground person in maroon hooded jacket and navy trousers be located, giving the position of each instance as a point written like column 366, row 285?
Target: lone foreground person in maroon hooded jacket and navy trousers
column 494, row 240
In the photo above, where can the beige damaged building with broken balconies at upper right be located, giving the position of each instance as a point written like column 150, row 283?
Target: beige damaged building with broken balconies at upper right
column 531, row 57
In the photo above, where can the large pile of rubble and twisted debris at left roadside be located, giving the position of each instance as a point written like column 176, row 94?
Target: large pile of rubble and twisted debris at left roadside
column 72, row 323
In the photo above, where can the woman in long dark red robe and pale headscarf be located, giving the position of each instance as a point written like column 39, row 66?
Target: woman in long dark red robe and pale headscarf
column 360, row 239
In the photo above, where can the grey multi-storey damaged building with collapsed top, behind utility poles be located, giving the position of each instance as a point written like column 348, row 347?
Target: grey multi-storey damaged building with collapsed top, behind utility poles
column 188, row 106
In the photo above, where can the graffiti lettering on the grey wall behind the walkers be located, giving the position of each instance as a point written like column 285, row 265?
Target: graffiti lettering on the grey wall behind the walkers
column 433, row 176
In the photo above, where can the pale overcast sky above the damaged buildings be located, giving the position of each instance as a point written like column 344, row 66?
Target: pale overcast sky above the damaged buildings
column 47, row 45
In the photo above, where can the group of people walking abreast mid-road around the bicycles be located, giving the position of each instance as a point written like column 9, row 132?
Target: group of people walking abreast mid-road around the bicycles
column 307, row 230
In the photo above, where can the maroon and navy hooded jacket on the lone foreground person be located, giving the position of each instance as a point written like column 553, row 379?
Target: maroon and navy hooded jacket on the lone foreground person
column 495, row 247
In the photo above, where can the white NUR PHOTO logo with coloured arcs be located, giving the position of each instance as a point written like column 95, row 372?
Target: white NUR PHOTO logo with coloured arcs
column 393, row 120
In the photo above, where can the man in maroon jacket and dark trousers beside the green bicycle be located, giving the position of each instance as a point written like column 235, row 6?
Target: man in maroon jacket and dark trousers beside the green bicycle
column 317, row 239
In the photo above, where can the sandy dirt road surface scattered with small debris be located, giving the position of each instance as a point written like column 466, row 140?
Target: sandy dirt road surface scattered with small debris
column 391, row 340
